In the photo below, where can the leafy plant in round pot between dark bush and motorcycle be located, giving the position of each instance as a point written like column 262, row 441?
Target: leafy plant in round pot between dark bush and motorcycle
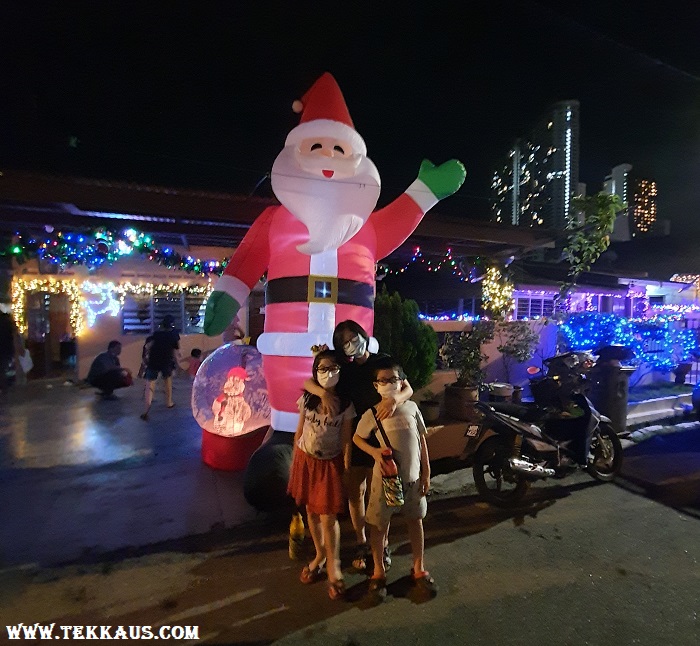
column 464, row 354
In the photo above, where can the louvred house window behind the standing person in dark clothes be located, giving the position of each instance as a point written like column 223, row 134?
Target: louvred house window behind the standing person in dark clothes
column 142, row 313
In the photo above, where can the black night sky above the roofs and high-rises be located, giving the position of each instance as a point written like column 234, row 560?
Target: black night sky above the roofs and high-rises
column 199, row 94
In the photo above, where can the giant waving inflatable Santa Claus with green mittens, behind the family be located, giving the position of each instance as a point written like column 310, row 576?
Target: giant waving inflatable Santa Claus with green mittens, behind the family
column 319, row 249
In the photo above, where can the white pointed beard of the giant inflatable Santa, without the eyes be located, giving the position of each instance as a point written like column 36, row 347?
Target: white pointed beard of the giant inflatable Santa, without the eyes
column 333, row 210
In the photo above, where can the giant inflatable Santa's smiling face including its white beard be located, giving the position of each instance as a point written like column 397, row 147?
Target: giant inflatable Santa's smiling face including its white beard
column 329, row 187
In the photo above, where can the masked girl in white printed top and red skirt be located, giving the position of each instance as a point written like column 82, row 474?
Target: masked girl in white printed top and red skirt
column 320, row 457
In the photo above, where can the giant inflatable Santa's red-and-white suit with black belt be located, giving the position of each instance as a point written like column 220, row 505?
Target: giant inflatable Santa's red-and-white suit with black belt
column 307, row 295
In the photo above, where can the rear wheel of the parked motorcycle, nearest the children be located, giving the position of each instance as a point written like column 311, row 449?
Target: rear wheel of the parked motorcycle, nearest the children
column 494, row 479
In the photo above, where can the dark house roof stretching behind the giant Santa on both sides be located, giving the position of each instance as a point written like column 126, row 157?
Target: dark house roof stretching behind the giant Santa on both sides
column 200, row 218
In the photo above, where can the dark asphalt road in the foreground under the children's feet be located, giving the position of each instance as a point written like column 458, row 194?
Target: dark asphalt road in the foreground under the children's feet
column 581, row 563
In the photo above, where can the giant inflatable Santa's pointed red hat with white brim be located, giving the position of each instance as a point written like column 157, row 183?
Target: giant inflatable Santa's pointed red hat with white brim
column 325, row 114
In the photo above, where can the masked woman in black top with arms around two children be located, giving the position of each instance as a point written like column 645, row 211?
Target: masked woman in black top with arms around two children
column 357, row 384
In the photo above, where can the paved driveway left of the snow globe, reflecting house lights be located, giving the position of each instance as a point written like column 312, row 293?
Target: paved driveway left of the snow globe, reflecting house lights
column 79, row 475
